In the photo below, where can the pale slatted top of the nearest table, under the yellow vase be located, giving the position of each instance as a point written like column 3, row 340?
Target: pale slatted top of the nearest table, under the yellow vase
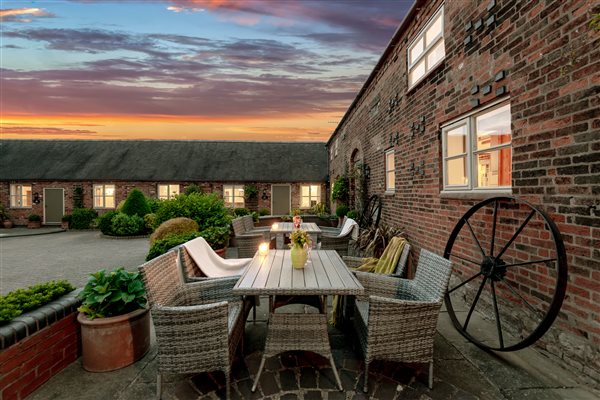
column 324, row 274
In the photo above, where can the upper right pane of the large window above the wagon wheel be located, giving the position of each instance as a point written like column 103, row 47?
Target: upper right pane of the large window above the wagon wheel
column 493, row 128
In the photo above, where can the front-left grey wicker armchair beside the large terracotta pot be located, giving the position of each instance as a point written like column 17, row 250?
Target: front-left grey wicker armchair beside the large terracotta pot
column 198, row 325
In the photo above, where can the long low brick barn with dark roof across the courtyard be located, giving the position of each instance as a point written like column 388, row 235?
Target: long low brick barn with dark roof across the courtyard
column 42, row 177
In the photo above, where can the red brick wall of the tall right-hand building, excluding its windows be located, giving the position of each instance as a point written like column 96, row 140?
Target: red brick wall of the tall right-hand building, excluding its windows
column 545, row 58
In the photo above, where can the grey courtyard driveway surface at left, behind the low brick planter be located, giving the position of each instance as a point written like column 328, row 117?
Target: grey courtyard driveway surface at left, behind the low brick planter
column 72, row 255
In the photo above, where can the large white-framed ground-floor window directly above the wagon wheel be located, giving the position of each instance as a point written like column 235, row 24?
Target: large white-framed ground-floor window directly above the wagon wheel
column 477, row 151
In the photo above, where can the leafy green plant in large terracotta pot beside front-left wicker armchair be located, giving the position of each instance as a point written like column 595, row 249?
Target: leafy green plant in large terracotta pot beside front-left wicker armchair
column 115, row 323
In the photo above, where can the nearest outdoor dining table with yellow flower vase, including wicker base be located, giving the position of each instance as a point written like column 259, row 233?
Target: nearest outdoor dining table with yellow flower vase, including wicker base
column 272, row 274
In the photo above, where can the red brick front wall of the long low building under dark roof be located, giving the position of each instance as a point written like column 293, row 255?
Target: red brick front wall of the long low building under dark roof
column 19, row 216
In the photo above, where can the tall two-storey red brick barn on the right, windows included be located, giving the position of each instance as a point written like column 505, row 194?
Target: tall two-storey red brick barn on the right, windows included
column 474, row 99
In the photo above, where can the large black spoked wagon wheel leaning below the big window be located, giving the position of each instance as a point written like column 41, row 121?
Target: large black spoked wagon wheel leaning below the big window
column 510, row 266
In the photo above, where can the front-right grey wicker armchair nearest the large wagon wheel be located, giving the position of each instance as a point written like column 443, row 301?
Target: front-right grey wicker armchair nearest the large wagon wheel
column 396, row 319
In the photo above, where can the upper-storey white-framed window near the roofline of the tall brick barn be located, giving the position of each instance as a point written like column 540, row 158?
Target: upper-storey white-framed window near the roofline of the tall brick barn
column 427, row 50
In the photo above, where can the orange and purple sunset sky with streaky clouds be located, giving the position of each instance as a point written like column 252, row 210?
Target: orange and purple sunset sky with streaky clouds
column 217, row 70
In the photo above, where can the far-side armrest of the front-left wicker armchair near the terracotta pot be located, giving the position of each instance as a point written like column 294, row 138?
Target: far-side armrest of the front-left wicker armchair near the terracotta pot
column 211, row 290
